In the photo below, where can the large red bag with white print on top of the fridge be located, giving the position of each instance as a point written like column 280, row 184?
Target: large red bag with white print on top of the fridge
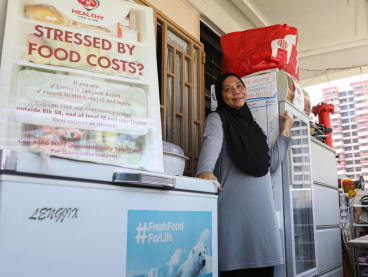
column 259, row 49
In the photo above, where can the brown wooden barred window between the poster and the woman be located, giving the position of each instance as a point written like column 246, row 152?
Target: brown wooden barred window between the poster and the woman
column 180, row 67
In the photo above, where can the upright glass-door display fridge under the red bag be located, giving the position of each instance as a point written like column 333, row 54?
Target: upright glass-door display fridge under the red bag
column 271, row 93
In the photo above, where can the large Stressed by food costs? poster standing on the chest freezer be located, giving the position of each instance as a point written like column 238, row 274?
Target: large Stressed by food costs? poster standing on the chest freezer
column 79, row 81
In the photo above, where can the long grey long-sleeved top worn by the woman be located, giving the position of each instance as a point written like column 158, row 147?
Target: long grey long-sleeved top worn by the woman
column 247, row 225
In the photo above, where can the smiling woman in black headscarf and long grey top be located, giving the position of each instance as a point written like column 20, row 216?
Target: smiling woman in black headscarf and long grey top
column 235, row 152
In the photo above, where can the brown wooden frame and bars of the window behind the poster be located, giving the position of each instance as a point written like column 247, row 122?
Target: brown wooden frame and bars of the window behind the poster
column 194, row 121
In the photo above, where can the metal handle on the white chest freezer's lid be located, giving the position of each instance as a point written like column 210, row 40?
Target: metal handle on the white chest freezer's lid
column 141, row 179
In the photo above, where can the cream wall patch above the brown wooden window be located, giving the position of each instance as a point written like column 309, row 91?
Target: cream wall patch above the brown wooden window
column 182, row 13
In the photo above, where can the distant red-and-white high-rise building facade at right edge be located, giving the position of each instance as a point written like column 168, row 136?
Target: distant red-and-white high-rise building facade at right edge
column 350, row 128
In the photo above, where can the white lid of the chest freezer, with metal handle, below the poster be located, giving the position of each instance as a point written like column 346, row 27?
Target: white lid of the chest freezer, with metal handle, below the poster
column 31, row 163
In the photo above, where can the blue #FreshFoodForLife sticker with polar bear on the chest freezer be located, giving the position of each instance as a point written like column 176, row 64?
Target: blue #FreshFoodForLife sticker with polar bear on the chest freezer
column 168, row 243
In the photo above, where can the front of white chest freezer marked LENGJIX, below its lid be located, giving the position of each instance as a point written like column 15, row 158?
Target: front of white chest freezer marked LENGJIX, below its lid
column 59, row 228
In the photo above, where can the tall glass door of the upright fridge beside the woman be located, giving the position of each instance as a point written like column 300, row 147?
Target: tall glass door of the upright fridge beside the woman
column 299, row 219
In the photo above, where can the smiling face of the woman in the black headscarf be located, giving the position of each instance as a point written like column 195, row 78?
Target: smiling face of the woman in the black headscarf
column 234, row 93
